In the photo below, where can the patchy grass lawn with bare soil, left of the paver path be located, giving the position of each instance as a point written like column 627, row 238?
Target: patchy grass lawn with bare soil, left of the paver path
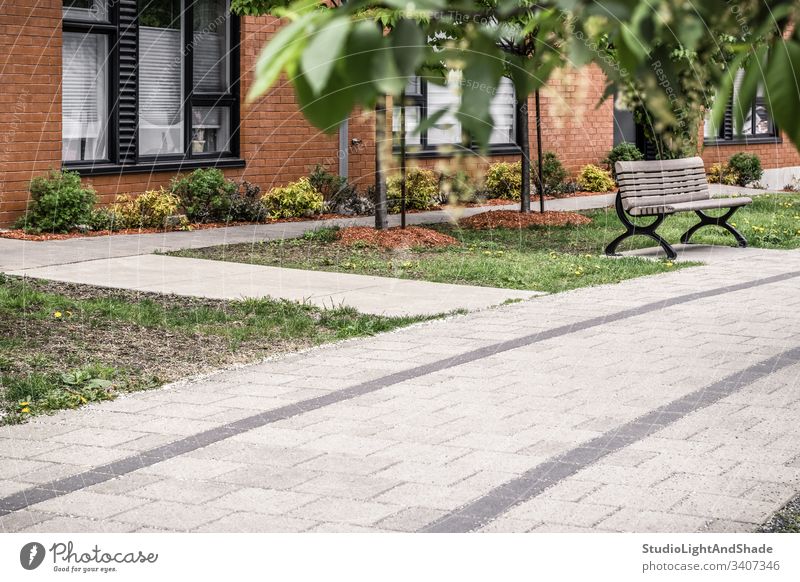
column 63, row 345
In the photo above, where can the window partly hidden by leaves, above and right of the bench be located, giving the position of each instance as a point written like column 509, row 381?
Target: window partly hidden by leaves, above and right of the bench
column 757, row 126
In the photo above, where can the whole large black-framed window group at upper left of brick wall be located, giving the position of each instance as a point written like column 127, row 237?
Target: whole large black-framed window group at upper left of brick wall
column 149, row 84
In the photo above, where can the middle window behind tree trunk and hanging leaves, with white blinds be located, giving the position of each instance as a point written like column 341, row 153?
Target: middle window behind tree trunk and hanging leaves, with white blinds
column 424, row 99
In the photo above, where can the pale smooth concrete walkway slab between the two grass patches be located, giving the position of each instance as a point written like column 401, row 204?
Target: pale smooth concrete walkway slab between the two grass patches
column 223, row 280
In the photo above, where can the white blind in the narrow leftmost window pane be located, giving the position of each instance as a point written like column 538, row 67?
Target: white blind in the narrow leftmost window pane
column 84, row 96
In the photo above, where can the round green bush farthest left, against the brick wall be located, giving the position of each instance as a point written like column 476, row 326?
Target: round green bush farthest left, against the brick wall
column 59, row 203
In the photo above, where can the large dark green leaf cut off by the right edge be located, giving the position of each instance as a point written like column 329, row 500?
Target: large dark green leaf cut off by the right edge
column 783, row 89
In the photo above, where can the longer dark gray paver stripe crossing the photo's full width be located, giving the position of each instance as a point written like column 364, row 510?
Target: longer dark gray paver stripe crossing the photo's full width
column 53, row 489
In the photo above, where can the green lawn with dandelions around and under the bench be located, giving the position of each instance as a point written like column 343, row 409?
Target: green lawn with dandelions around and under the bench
column 547, row 259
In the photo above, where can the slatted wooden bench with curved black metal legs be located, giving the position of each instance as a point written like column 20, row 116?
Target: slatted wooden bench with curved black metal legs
column 664, row 187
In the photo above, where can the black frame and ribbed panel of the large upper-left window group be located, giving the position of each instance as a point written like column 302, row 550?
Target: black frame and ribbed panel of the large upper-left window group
column 124, row 44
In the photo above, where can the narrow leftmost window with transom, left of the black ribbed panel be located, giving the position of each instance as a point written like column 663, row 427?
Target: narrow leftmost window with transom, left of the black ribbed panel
column 84, row 89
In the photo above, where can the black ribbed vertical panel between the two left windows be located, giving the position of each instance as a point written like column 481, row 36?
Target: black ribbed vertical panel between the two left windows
column 128, row 81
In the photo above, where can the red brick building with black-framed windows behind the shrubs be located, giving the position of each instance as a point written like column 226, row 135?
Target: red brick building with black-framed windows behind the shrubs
column 130, row 94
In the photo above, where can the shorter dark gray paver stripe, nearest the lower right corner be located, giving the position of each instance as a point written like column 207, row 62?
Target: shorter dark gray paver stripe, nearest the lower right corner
column 488, row 507
